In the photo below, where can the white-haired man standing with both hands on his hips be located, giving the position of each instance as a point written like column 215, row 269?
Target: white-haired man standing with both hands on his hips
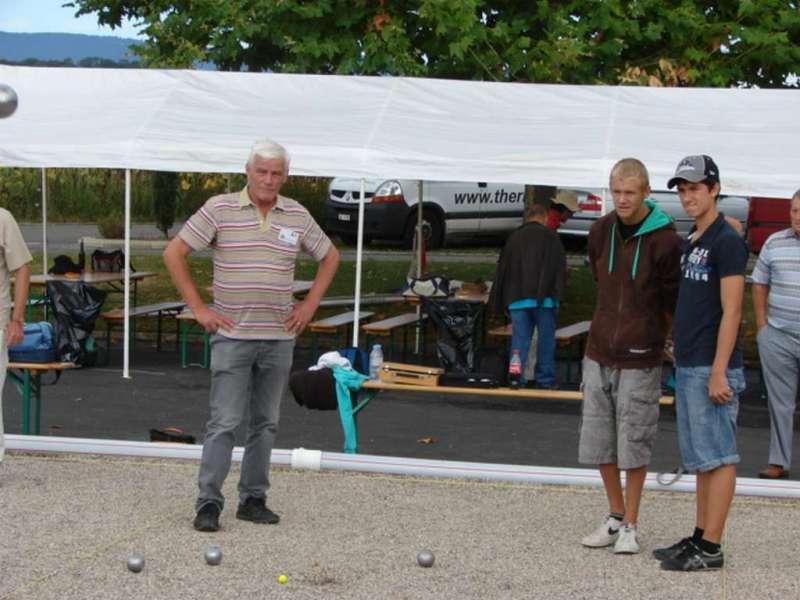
column 256, row 235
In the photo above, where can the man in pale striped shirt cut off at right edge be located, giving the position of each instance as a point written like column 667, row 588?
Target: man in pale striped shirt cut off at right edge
column 776, row 302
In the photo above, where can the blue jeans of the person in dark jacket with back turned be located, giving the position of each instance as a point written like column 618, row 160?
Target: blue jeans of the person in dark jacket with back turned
column 523, row 323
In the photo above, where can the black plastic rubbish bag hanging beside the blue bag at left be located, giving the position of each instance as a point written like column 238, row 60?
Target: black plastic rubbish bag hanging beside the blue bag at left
column 75, row 307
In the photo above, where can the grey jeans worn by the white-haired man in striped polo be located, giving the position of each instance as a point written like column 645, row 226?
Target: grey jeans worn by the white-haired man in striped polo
column 247, row 377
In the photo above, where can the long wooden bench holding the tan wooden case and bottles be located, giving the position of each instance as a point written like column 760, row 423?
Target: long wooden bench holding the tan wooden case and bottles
column 348, row 414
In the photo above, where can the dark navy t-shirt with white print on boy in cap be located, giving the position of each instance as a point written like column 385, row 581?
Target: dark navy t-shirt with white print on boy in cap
column 720, row 252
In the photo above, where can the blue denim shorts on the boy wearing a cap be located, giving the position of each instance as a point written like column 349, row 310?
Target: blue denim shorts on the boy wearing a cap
column 706, row 431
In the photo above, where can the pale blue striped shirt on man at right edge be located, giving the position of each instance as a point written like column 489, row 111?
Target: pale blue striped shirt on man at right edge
column 778, row 267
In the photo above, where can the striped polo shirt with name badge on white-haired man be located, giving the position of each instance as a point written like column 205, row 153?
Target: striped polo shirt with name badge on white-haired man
column 254, row 259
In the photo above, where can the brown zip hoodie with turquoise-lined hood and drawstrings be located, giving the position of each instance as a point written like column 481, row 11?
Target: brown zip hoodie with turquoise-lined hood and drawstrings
column 637, row 289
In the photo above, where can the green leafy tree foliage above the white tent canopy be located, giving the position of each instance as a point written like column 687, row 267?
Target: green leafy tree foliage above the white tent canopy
column 646, row 42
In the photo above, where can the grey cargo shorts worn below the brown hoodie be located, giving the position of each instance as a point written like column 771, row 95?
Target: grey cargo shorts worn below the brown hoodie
column 620, row 415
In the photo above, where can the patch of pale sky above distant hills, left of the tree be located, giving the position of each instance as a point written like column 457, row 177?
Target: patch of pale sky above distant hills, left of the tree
column 35, row 16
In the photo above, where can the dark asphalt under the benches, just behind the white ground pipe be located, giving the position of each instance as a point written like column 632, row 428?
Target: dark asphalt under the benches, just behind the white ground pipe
column 98, row 403
